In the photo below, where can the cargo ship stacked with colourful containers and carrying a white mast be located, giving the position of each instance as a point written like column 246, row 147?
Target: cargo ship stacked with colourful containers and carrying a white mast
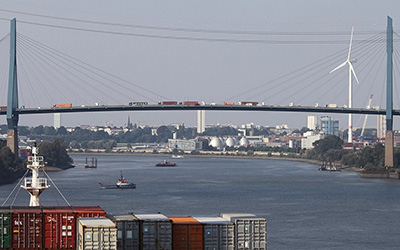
column 89, row 227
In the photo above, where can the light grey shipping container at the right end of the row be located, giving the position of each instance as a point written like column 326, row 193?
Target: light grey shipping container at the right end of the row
column 250, row 231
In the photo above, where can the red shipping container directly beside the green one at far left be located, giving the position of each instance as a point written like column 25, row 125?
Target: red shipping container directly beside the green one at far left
column 27, row 228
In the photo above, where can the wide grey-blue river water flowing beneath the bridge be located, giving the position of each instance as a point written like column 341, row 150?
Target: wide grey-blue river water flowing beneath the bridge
column 305, row 208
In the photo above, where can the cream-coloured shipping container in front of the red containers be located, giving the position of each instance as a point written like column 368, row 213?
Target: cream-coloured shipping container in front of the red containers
column 96, row 233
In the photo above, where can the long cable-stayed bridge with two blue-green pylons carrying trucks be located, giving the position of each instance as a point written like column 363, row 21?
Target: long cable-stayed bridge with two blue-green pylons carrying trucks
column 74, row 79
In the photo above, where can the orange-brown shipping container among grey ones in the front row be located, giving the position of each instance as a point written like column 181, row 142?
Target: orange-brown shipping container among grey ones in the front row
column 187, row 233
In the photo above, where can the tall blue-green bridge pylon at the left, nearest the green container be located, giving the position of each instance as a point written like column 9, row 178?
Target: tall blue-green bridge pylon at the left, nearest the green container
column 12, row 97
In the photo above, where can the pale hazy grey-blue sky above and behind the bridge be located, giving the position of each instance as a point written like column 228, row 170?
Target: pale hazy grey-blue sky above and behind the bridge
column 211, row 51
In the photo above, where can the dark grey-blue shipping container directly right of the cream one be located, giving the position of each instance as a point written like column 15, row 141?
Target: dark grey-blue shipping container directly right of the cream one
column 128, row 231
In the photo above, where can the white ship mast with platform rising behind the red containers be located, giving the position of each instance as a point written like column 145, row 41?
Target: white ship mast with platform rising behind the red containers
column 35, row 185
